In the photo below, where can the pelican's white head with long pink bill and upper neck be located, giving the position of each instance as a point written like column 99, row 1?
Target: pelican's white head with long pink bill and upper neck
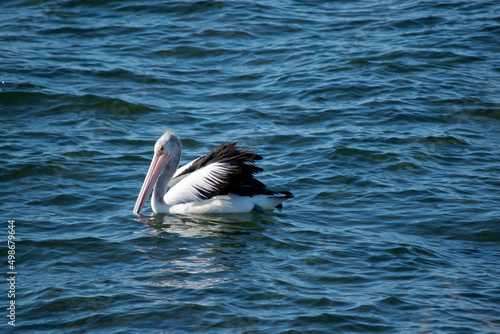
column 167, row 153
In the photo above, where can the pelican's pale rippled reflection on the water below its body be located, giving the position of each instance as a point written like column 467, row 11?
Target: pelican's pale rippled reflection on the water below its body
column 177, row 261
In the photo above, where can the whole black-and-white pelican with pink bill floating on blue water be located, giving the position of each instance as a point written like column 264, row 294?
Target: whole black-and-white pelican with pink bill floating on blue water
column 221, row 181
